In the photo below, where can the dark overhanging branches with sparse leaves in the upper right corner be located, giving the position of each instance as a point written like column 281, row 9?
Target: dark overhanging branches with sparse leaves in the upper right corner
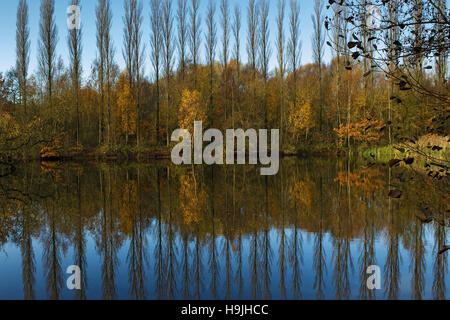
column 417, row 39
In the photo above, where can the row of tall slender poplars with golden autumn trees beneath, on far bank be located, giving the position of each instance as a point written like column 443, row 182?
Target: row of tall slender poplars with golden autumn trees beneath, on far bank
column 355, row 98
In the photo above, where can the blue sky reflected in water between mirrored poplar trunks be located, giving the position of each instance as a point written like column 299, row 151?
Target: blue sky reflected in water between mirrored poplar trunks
column 11, row 280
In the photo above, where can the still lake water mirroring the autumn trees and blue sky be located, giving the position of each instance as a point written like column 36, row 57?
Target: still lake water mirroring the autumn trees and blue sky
column 165, row 232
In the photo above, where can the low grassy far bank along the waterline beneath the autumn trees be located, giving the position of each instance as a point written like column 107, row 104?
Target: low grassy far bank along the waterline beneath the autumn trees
column 434, row 150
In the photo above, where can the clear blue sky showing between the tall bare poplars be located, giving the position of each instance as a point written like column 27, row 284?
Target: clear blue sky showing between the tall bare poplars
column 8, row 23
